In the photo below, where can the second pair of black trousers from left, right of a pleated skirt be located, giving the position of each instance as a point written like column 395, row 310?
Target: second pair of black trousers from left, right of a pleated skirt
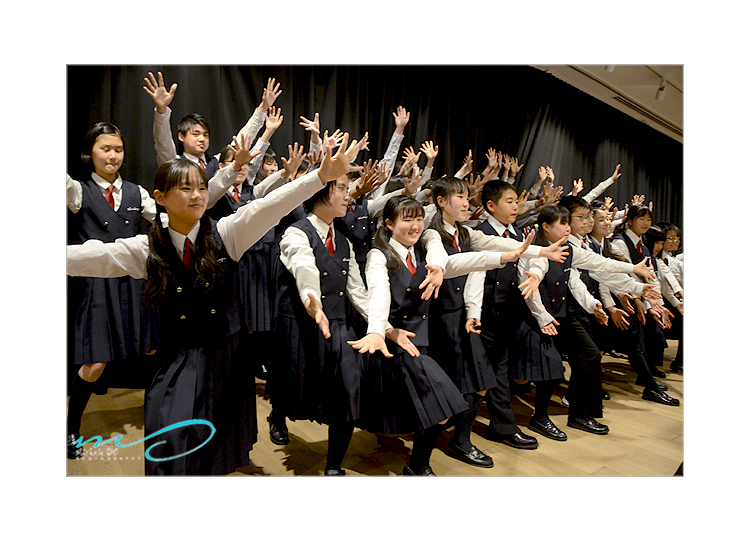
column 585, row 389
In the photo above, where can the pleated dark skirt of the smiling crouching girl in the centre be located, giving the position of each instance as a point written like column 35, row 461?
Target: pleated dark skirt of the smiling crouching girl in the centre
column 404, row 394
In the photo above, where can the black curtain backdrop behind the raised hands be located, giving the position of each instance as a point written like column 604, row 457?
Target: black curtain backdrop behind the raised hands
column 515, row 109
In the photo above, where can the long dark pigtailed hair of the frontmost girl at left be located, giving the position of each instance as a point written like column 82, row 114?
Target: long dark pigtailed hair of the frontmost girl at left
column 206, row 266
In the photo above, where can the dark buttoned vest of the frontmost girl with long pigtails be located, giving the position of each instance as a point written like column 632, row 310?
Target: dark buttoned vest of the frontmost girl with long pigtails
column 194, row 314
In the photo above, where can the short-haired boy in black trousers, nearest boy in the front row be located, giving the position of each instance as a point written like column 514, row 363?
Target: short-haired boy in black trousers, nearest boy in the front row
column 494, row 296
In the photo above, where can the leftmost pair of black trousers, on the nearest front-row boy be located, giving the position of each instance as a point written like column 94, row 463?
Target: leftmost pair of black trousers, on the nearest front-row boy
column 498, row 333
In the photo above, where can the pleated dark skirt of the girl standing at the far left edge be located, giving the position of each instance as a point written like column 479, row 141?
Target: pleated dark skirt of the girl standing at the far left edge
column 109, row 321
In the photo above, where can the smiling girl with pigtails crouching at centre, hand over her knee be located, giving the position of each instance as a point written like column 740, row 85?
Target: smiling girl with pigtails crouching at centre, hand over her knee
column 408, row 391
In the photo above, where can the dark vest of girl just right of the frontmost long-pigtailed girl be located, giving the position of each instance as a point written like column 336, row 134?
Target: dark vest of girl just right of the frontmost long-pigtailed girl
column 334, row 273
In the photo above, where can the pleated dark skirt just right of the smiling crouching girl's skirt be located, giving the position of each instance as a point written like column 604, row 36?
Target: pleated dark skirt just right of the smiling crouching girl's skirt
column 460, row 354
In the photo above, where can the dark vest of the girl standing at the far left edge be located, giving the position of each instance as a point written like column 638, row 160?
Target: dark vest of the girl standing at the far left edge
column 97, row 220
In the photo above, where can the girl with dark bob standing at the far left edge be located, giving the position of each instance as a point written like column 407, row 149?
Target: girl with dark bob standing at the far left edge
column 107, row 321
